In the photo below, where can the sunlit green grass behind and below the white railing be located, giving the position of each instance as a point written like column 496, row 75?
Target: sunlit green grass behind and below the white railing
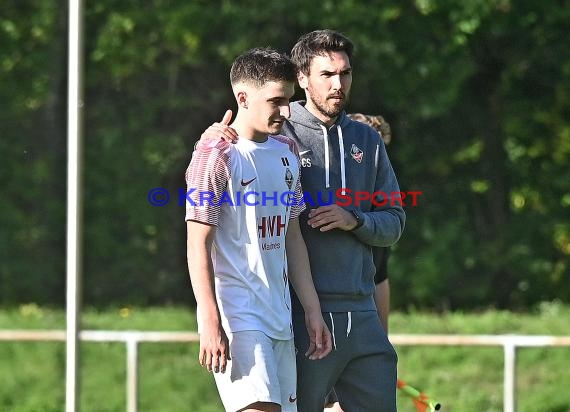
column 463, row 379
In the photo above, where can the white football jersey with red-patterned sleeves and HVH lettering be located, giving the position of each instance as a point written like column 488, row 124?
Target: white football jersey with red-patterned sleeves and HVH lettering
column 249, row 191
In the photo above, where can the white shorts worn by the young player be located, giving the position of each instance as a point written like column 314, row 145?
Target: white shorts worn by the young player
column 261, row 370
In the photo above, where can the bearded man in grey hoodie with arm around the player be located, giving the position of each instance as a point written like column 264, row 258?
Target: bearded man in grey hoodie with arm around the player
column 351, row 193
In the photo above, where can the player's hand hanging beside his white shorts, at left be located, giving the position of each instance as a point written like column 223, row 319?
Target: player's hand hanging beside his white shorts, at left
column 214, row 348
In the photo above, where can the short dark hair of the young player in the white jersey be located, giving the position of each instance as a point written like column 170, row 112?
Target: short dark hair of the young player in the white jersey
column 261, row 65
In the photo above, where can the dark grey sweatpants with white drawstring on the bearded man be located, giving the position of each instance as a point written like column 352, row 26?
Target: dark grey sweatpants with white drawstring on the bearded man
column 361, row 367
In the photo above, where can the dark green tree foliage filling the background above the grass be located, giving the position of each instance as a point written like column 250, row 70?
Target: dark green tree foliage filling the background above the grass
column 476, row 92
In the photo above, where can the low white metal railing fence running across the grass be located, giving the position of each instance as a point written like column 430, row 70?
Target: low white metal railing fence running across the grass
column 132, row 338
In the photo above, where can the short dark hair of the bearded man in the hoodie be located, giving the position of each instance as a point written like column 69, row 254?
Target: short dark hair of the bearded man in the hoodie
column 319, row 43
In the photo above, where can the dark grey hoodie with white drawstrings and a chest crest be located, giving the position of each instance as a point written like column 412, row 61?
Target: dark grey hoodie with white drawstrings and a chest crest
column 347, row 155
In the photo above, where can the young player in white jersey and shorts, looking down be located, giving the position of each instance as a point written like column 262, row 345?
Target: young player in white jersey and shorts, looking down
column 245, row 244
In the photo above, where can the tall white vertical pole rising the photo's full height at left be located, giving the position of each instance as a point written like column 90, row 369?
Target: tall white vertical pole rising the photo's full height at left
column 74, row 138
